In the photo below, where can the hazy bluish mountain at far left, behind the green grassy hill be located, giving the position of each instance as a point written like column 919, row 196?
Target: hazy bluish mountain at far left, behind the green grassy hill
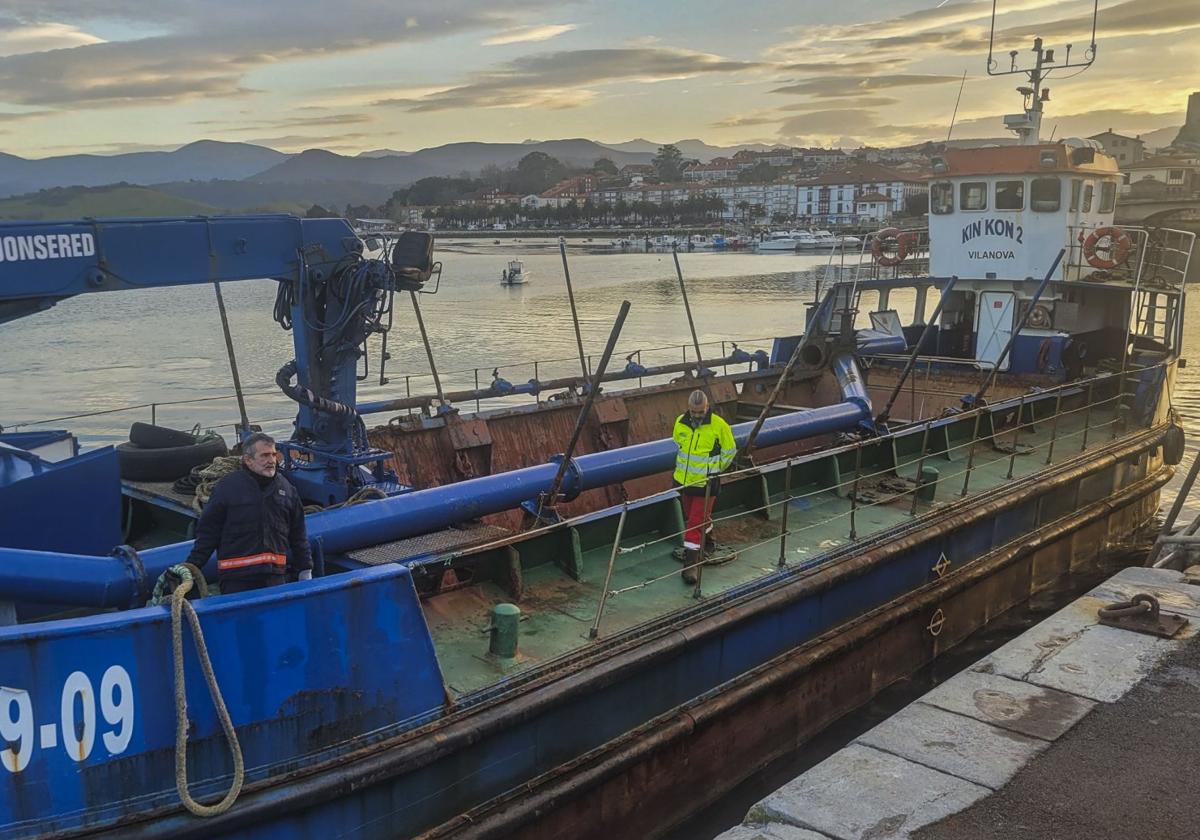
column 201, row 160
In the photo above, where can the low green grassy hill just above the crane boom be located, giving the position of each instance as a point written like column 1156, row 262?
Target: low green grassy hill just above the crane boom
column 111, row 202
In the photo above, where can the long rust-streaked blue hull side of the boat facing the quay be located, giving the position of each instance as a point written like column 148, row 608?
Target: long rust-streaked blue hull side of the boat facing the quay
column 625, row 737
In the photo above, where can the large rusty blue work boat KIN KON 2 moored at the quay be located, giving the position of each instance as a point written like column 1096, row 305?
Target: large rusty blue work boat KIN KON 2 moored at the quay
column 470, row 667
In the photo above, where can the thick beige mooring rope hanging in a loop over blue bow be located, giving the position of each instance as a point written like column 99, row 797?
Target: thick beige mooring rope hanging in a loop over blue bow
column 179, row 605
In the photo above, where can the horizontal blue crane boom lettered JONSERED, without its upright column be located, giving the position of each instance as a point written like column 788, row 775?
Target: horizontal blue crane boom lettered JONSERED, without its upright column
column 43, row 263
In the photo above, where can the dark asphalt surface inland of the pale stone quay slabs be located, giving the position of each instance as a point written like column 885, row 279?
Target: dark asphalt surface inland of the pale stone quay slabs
column 1126, row 772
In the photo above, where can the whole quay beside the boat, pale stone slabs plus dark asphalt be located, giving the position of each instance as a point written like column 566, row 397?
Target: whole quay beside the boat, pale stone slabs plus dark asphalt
column 1071, row 731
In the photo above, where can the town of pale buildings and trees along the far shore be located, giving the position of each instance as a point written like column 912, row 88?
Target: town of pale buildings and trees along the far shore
column 827, row 188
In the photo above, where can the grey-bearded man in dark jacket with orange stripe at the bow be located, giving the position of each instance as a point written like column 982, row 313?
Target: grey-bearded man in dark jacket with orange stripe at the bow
column 255, row 523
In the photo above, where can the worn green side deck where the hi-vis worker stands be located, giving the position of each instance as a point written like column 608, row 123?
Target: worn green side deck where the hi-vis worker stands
column 559, row 611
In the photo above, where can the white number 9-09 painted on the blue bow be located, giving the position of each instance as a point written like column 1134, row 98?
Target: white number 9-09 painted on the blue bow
column 77, row 728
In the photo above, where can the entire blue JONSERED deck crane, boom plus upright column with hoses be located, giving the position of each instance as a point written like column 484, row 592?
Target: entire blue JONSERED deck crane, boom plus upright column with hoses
column 331, row 298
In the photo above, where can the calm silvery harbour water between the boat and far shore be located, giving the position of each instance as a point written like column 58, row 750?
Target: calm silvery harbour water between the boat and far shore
column 107, row 353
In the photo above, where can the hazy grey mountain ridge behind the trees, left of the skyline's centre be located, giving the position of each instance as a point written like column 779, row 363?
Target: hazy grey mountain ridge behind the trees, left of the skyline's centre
column 319, row 165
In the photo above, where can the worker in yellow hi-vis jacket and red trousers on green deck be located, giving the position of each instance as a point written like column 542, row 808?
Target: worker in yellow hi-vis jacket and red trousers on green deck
column 706, row 448
